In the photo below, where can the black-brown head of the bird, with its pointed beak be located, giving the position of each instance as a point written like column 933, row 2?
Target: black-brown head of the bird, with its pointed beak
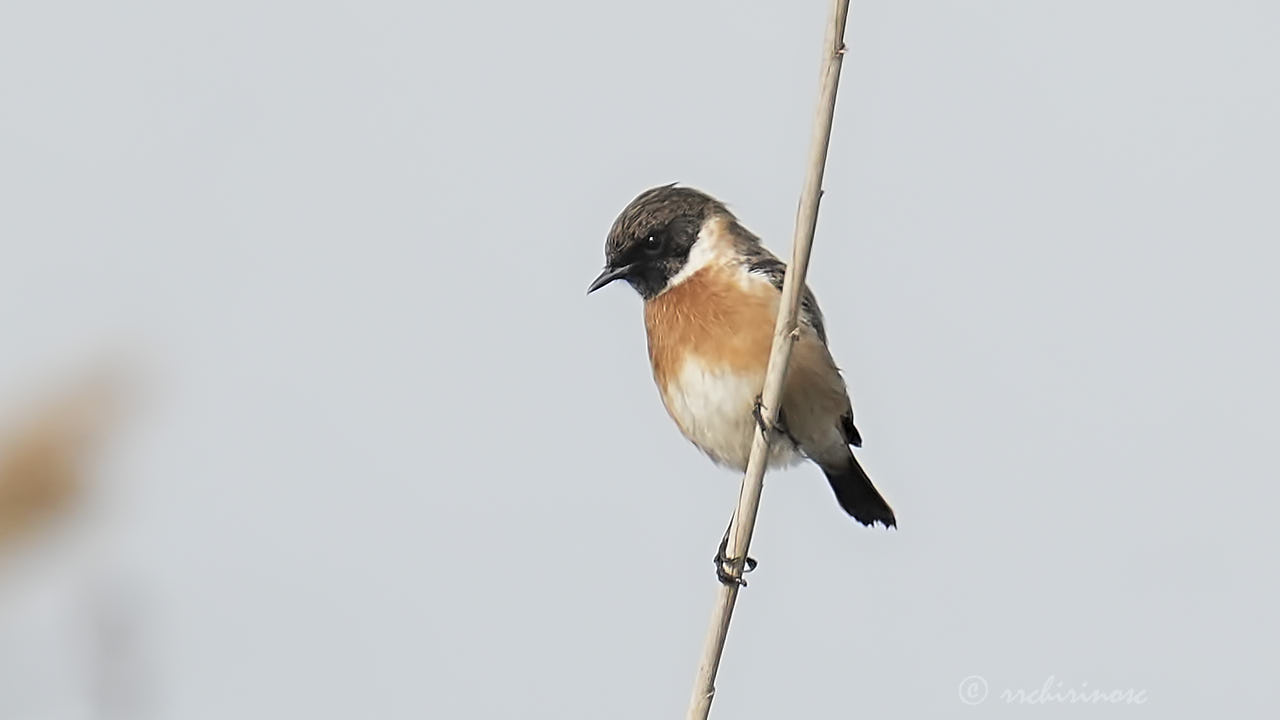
column 651, row 240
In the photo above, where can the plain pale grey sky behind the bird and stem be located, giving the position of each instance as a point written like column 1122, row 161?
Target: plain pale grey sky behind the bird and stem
column 390, row 462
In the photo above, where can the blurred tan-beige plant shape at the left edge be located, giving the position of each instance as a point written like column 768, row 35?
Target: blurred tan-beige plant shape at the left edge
column 44, row 455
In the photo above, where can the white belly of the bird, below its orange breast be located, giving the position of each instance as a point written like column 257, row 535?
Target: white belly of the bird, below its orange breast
column 715, row 412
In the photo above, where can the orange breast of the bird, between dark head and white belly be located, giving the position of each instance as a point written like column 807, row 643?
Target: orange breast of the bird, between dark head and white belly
column 717, row 320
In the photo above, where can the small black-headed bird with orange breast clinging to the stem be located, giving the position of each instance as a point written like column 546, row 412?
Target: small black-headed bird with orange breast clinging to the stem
column 711, row 294
